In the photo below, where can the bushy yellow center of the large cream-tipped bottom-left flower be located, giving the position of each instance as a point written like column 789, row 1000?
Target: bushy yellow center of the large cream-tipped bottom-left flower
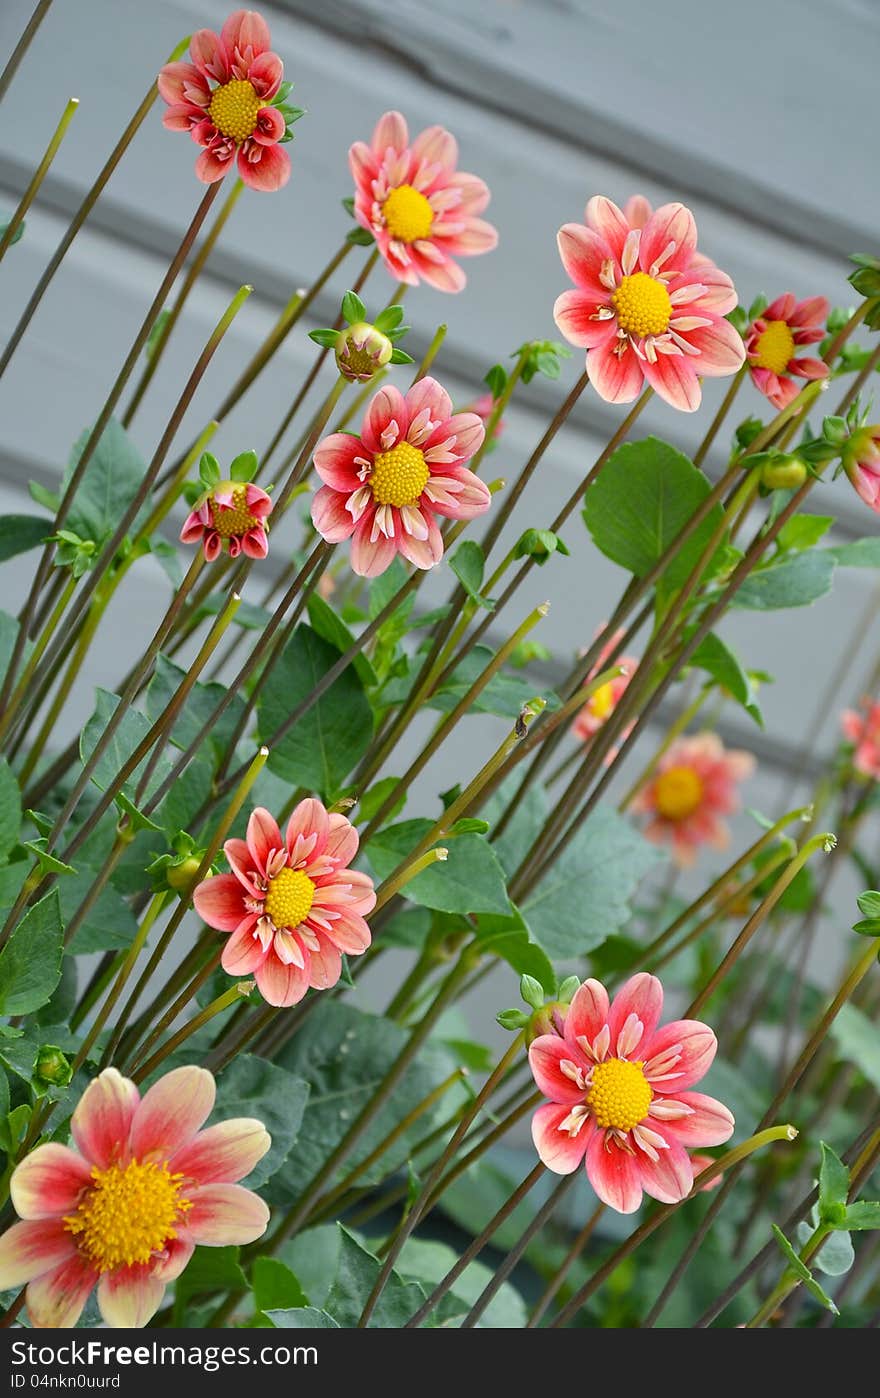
column 129, row 1214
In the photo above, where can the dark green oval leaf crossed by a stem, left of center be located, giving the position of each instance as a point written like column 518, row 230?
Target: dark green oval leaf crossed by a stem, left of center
column 334, row 736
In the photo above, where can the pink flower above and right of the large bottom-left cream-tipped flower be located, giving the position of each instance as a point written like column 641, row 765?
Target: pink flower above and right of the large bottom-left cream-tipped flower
column 292, row 904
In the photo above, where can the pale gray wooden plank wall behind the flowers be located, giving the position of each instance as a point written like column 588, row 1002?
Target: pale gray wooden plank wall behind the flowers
column 760, row 117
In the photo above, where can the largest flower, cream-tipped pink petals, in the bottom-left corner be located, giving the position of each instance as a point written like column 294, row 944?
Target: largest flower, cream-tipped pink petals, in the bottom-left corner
column 125, row 1210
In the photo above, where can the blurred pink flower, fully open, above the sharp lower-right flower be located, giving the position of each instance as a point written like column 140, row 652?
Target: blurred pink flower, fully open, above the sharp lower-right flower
column 693, row 788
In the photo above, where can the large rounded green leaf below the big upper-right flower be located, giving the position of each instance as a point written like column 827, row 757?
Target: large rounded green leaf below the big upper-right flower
column 640, row 504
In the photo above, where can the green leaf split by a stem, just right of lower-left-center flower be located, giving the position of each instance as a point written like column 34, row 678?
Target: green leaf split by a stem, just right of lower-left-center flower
column 471, row 881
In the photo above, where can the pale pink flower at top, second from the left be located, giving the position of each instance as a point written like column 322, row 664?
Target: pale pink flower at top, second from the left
column 419, row 208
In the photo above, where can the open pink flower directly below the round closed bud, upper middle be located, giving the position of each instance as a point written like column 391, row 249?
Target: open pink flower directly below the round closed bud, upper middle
column 385, row 487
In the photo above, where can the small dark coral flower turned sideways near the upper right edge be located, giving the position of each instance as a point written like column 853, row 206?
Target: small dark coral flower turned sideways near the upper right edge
column 773, row 339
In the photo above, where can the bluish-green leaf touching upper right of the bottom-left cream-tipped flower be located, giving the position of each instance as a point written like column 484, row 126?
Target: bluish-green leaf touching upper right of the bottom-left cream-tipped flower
column 254, row 1087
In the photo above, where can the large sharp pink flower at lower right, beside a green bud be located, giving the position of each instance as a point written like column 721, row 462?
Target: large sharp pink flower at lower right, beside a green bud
column 620, row 1095
